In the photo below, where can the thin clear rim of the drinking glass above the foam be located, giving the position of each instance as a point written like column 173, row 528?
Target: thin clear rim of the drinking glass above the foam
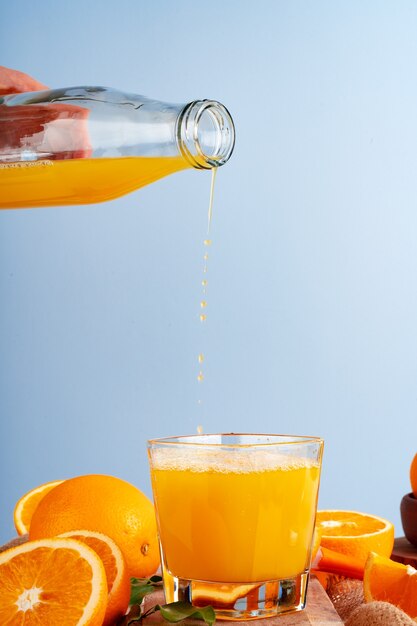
column 280, row 440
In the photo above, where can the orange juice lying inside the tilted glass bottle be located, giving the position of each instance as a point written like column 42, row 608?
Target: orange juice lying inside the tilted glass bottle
column 79, row 181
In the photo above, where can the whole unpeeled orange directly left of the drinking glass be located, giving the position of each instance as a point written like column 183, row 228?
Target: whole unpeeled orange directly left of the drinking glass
column 107, row 505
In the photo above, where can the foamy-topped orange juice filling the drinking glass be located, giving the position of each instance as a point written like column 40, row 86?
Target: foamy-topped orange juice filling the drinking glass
column 236, row 518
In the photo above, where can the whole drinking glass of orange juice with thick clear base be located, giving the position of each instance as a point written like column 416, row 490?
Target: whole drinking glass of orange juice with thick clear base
column 236, row 517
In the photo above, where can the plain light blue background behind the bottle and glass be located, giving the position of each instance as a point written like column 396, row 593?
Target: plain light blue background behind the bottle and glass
column 312, row 295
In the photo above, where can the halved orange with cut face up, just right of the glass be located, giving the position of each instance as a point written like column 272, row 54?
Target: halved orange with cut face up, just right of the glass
column 355, row 534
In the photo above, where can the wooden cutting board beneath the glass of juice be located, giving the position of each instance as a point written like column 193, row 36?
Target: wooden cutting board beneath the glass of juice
column 318, row 612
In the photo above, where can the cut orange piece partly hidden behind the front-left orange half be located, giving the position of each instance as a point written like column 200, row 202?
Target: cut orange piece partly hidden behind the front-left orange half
column 118, row 580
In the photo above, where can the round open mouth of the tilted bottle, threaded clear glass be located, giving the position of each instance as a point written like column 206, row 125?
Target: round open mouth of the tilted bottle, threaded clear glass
column 206, row 134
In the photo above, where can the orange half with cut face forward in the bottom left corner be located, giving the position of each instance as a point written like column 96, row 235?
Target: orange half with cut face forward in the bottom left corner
column 52, row 581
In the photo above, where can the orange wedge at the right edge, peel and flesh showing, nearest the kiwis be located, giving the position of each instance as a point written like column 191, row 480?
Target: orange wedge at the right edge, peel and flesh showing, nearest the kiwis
column 392, row 582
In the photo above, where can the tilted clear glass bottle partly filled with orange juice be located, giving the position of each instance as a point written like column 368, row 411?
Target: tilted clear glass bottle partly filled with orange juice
column 89, row 144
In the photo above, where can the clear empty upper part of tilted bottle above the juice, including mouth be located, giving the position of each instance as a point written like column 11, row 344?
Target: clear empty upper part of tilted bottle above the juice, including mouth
column 100, row 122
